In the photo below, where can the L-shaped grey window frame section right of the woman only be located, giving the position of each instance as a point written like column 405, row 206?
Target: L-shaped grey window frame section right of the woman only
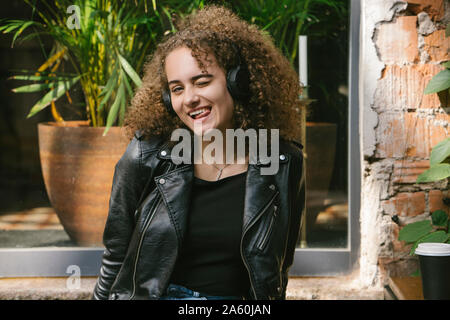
column 340, row 261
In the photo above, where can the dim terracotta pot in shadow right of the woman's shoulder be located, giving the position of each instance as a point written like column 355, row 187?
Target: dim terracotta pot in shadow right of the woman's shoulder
column 320, row 154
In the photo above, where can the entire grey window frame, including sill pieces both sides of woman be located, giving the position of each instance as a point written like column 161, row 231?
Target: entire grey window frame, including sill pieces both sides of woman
column 55, row 261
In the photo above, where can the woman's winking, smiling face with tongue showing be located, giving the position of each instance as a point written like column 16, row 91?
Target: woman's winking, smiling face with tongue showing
column 199, row 97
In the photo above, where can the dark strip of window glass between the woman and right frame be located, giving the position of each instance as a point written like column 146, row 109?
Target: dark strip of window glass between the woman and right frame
column 327, row 218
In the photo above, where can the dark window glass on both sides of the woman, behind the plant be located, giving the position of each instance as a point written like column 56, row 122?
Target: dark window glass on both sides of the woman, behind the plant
column 27, row 219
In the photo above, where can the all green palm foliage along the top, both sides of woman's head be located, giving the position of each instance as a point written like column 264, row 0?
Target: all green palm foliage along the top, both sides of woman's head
column 107, row 51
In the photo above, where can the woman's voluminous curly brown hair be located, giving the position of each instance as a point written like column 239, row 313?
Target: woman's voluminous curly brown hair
column 274, row 85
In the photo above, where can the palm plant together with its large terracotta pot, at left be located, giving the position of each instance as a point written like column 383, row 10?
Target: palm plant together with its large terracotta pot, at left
column 103, row 43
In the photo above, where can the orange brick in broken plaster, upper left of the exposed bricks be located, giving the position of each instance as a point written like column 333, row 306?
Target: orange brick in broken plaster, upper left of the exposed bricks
column 397, row 41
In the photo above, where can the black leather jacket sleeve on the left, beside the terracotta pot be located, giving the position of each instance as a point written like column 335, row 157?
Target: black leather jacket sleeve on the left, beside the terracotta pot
column 126, row 190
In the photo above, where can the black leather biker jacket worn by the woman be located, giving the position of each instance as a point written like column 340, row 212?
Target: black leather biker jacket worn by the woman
column 148, row 213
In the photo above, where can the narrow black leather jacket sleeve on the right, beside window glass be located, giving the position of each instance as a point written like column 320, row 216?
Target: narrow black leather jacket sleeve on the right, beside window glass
column 297, row 211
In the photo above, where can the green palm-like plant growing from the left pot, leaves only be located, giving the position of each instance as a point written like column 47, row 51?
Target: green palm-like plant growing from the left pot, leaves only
column 106, row 46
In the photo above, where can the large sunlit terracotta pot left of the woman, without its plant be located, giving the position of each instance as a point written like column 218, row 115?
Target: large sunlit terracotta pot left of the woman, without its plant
column 78, row 166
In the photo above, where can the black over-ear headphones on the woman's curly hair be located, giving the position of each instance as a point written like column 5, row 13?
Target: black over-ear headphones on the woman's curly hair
column 238, row 80
